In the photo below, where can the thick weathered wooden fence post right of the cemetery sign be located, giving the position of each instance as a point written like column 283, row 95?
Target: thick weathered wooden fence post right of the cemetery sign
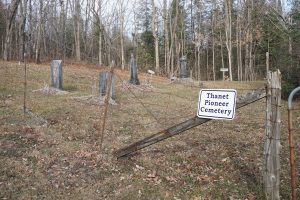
column 272, row 144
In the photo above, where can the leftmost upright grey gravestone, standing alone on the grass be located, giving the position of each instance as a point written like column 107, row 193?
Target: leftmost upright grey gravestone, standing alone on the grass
column 56, row 74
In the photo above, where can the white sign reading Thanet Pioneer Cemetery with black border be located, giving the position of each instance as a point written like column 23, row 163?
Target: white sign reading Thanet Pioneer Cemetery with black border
column 217, row 104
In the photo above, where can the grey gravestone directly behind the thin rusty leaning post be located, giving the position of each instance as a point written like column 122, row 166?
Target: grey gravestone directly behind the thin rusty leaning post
column 103, row 82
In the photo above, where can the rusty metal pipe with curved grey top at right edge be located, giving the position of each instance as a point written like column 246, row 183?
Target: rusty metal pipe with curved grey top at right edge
column 291, row 143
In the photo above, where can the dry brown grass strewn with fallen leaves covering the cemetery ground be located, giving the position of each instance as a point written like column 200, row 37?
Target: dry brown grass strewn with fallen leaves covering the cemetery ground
column 53, row 153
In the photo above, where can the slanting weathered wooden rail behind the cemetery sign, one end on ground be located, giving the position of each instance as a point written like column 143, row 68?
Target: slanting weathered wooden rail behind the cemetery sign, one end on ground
column 242, row 101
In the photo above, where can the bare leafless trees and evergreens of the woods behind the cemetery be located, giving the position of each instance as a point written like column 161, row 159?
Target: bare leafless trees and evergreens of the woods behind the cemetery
column 247, row 37
